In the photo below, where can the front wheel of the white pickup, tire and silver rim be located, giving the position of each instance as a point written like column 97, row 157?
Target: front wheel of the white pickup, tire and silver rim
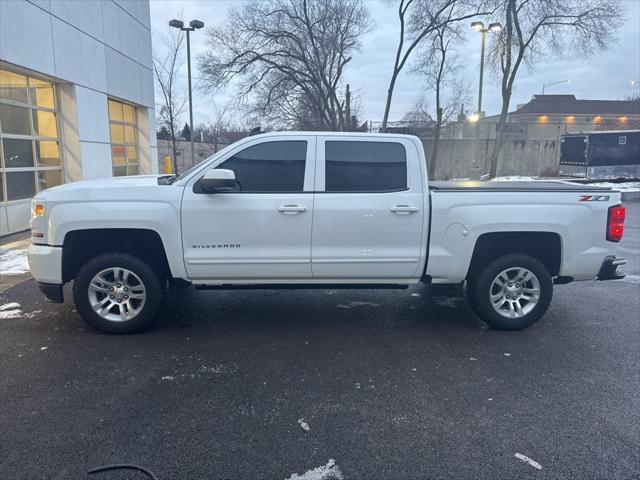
column 117, row 293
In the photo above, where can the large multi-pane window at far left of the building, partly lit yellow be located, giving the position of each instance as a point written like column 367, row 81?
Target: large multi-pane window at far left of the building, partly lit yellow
column 29, row 137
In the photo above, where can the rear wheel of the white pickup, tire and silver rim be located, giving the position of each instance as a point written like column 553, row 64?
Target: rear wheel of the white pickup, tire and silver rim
column 512, row 292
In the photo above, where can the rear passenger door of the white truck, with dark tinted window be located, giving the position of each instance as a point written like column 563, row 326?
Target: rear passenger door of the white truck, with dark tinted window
column 368, row 208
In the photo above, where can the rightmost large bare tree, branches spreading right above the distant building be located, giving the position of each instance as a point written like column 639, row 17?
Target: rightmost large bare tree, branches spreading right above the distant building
column 533, row 28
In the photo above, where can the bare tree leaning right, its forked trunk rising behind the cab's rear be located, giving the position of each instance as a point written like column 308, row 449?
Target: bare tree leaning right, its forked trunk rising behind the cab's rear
column 421, row 18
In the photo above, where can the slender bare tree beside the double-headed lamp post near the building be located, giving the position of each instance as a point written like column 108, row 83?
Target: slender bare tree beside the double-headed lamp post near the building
column 167, row 64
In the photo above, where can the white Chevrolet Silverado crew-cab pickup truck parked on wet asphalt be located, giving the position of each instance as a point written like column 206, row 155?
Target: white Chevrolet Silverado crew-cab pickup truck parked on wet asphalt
column 319, row 210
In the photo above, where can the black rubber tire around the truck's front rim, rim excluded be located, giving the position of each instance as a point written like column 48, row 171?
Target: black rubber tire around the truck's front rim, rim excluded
column 149, row 278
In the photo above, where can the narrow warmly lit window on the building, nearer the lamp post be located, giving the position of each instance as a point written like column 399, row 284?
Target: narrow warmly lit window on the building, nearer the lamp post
column 123, row 125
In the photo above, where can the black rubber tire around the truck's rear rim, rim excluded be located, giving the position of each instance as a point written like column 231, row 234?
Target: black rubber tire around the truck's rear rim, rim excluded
column 479, row 292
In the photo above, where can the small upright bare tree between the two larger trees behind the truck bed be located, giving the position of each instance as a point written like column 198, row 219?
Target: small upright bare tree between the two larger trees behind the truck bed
column 441, row 68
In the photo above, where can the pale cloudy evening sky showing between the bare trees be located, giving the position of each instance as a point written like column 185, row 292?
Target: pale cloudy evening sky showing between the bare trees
column 605, row 76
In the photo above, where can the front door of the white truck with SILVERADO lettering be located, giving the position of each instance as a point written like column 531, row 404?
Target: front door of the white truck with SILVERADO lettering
column 262, row 230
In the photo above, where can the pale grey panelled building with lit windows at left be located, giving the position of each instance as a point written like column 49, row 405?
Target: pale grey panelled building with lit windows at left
column 76, row 97
